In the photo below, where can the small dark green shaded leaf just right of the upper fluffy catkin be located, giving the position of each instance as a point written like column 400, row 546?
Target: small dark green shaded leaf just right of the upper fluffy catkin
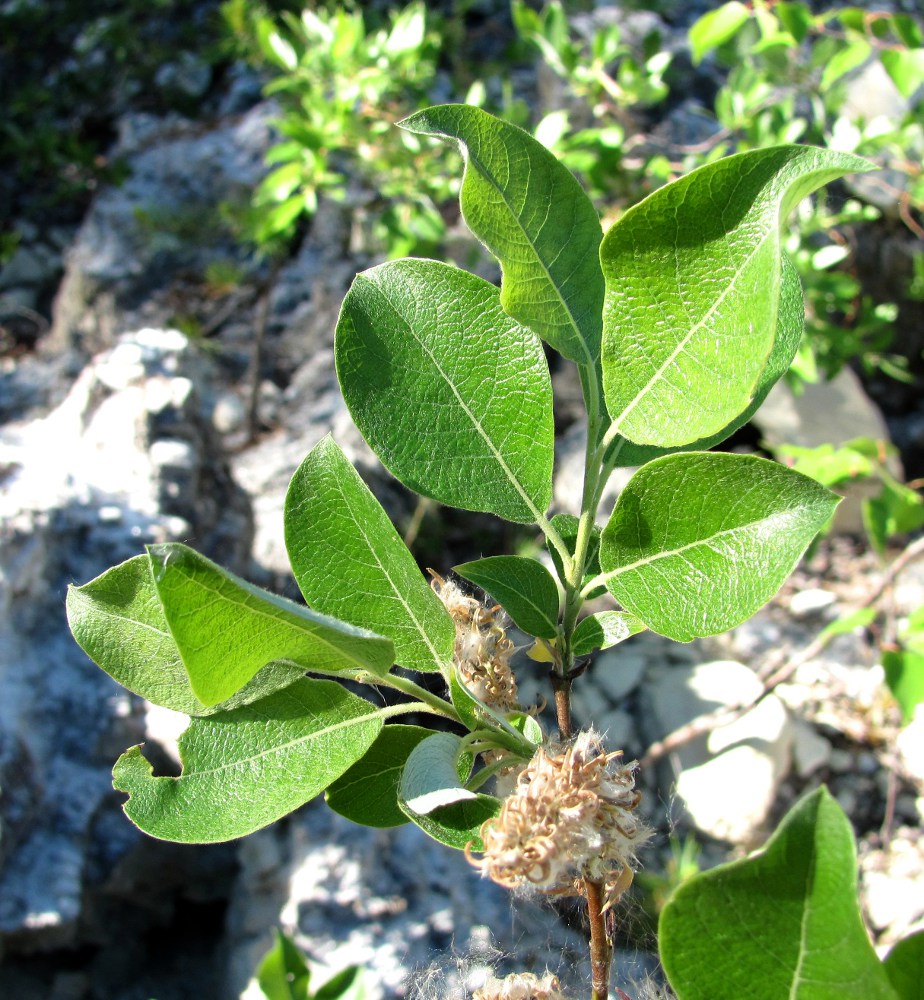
column 523, row 587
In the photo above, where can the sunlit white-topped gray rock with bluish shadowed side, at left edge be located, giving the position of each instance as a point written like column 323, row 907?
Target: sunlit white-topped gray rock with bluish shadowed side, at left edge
column 128, row 458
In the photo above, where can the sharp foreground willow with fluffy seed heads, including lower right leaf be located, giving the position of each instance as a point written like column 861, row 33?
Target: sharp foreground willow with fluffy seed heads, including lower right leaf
column 680, row 319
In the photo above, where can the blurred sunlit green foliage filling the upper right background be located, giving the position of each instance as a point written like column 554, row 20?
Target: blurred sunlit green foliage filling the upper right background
column 787, row 73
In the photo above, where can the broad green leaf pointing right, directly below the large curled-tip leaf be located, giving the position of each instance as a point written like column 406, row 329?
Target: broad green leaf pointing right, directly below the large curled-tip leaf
column 700, row 541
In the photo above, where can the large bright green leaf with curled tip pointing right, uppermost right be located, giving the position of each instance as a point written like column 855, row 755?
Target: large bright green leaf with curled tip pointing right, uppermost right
column 693, row 278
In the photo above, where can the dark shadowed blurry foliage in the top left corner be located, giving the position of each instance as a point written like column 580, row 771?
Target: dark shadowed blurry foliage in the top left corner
column 69, row 68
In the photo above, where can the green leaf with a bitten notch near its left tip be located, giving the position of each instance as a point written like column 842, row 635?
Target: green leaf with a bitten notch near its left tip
column 245, row 768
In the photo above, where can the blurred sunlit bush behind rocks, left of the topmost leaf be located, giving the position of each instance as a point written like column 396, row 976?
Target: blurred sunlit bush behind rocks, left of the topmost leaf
column 342, row 79
